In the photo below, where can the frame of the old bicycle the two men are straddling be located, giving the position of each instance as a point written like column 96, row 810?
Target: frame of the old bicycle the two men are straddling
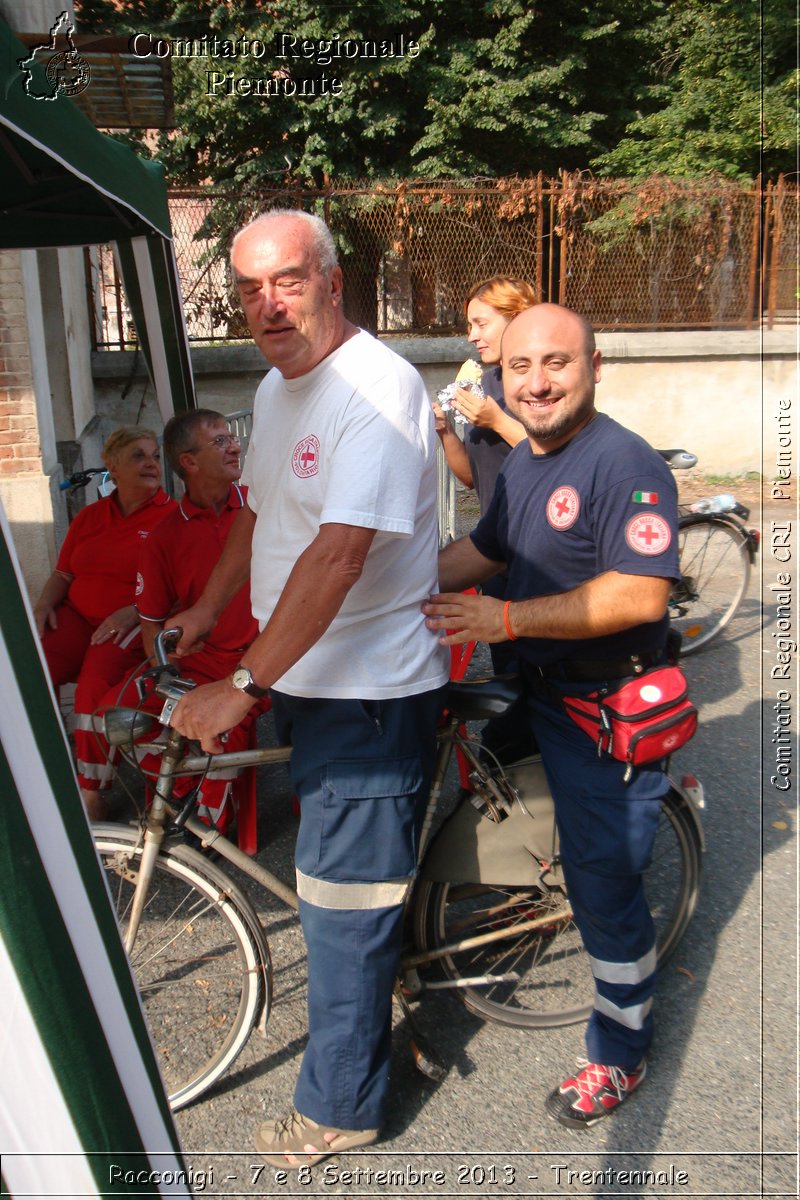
column 468, row 847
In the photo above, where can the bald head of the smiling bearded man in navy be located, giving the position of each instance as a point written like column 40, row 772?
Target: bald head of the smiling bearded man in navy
column 550, row 370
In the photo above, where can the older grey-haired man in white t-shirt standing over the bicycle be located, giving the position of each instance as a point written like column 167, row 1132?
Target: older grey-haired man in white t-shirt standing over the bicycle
column 340, row 538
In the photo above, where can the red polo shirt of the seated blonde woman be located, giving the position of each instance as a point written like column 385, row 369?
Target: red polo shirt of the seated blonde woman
column 103, row 553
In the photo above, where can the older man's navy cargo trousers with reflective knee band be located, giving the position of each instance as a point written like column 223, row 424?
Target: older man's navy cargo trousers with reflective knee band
column 362, row 771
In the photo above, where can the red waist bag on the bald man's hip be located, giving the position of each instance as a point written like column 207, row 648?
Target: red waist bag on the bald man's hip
column 643, row 721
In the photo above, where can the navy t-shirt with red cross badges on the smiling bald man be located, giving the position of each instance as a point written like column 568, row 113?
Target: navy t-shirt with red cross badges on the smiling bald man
column 604, row 502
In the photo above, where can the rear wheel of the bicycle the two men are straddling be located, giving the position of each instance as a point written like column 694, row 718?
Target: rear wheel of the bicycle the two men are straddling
column 554, row 982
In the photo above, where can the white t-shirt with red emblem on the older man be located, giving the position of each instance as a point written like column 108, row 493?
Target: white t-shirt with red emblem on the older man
column 352, row 442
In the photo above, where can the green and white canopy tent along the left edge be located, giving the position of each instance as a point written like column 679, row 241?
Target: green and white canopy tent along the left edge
column 81, row 1095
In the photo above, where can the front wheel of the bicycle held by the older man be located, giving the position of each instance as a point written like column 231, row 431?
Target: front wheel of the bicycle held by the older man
column 202, row 975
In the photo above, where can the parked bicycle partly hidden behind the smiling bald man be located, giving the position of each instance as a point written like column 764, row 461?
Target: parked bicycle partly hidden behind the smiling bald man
column 717, row 551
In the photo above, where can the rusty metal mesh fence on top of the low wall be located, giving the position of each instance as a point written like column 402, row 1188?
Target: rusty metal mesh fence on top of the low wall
column 658, row 255
